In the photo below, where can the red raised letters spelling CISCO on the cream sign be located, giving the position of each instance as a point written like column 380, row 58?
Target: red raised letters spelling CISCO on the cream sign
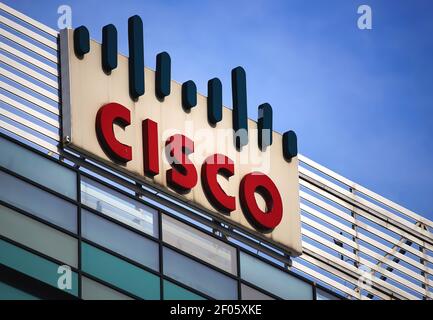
column 182, row 176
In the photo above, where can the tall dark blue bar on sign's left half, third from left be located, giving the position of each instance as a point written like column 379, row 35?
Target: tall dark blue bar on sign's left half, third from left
column 136, row 57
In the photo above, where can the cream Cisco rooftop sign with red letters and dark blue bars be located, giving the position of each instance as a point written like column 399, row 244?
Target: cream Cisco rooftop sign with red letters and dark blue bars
column 163, row 133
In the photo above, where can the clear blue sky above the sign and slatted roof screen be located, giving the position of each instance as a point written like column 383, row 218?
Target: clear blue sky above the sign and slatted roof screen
column 361, row 101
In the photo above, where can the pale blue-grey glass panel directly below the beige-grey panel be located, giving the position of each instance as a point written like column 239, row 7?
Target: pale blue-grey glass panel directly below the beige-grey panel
column 198, row 276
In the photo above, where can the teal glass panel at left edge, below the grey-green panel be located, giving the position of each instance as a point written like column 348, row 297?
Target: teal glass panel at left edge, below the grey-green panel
column 34, row 266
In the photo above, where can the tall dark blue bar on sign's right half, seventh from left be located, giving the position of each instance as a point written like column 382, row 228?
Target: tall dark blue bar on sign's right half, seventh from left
column 240, row 117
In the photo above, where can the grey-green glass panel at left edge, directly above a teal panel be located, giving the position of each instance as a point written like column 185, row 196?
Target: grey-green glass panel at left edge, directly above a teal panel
column 38, row 236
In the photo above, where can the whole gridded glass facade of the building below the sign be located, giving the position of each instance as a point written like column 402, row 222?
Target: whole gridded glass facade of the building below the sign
column 77, row 235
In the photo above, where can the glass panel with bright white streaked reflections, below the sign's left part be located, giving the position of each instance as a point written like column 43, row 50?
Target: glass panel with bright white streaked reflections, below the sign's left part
column 119, row 206
